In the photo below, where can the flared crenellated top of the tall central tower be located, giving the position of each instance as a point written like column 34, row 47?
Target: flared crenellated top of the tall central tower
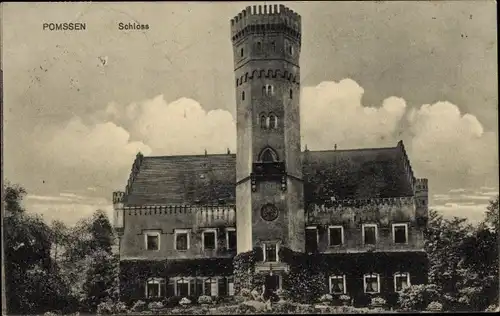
column 265, row 18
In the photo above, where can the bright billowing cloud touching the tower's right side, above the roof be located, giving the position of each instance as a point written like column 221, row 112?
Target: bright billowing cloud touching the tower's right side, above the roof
column 332, row 113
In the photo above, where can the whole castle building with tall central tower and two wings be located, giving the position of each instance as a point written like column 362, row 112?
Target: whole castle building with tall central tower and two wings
column 182, row 219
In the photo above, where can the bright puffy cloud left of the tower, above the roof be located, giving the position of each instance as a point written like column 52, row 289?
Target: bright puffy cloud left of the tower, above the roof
column 178, row 127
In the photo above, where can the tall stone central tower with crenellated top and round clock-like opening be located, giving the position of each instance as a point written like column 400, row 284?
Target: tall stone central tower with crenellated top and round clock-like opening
column 269, row 188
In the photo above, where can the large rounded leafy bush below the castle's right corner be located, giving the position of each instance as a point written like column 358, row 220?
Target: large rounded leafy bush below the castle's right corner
column 417, row 297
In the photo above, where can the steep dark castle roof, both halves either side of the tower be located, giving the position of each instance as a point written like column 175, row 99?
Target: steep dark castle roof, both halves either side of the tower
column 344, row 174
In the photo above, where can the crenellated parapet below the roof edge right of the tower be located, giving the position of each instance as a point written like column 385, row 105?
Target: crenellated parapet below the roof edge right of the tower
column 333, row 205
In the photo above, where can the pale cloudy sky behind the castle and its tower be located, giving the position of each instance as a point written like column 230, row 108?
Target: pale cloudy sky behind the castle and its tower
column 78, row 106
